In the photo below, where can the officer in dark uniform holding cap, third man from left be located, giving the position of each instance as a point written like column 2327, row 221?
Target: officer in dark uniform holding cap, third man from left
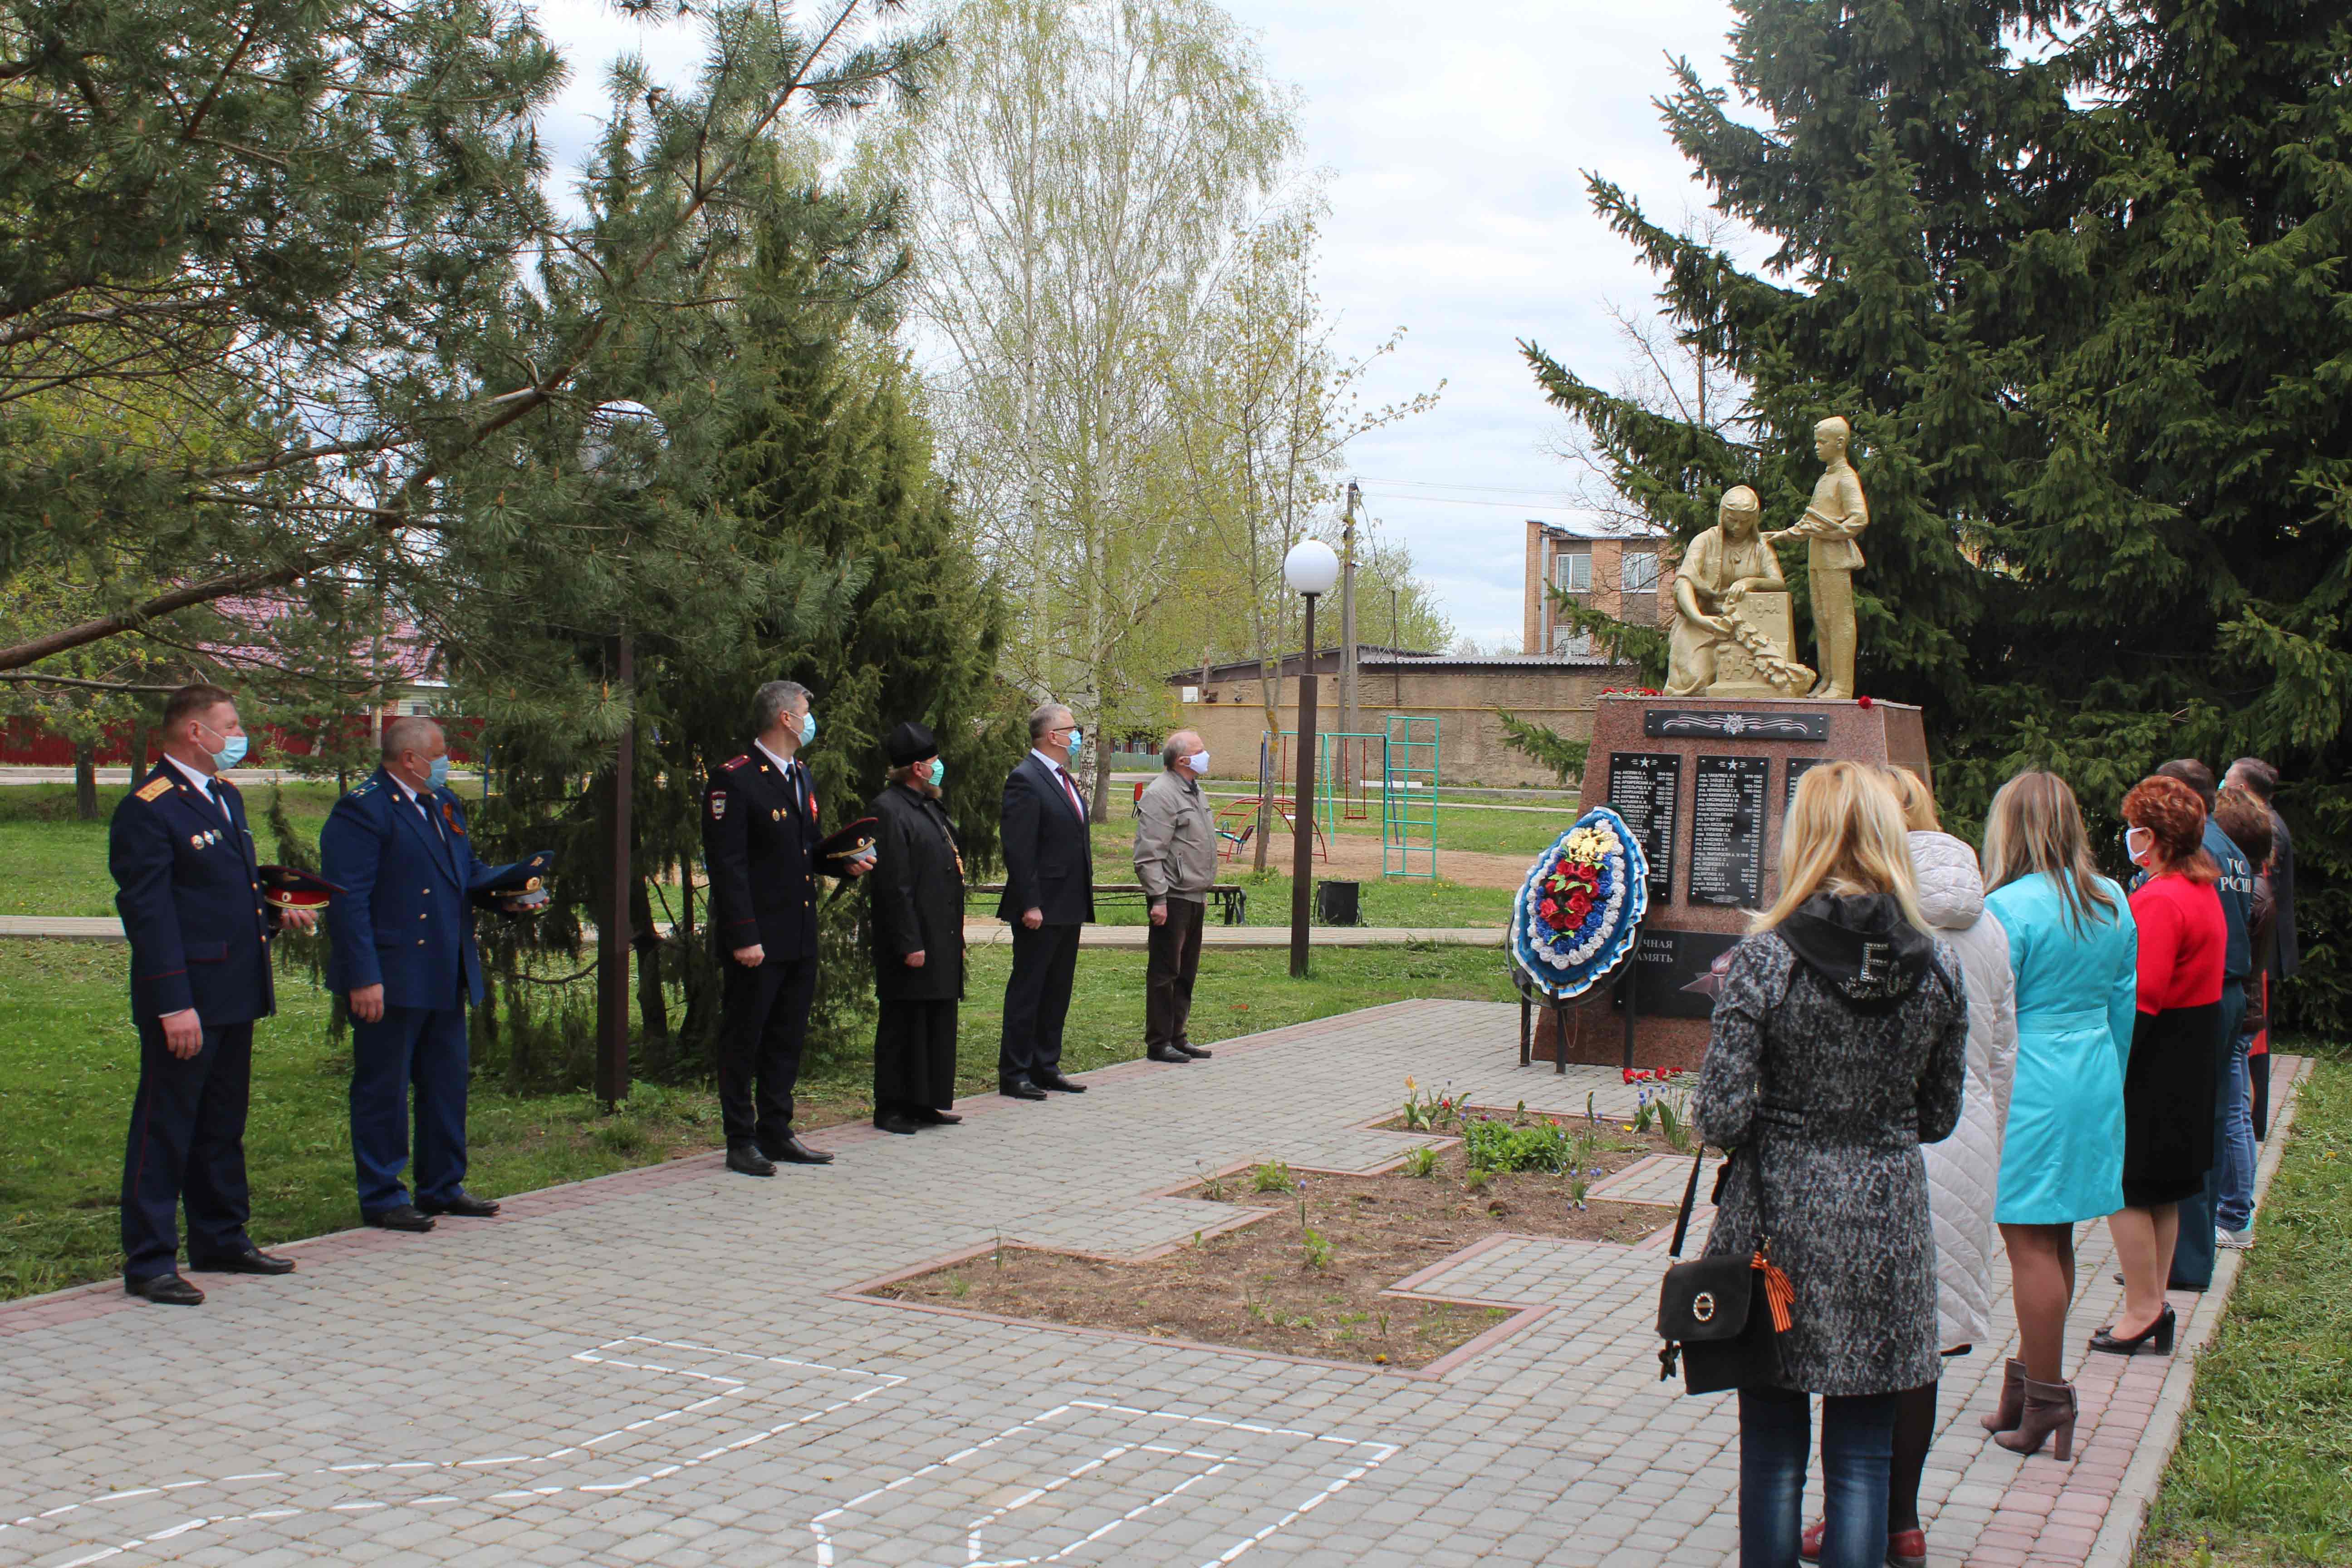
column 761, row 845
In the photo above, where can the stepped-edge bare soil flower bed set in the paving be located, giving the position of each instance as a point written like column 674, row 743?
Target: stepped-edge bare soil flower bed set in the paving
column 1316, row 1278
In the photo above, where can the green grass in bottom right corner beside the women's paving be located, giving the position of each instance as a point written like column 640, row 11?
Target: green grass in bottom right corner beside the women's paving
column 2264, row 1473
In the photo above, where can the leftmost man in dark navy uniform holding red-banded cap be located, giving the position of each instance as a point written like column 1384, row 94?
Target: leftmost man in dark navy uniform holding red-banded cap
column 189, row 890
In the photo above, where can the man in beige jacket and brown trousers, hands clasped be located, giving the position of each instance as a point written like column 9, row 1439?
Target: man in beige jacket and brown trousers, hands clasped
column 1177, row 866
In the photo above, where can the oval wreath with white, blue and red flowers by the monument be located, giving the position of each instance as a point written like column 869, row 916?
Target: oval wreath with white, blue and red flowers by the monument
column 1582, row 906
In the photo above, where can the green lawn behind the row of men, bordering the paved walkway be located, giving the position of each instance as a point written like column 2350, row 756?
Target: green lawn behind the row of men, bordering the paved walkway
column 69, row 1066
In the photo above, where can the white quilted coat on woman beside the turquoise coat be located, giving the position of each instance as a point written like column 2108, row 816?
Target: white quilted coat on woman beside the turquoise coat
column 1965, row 1170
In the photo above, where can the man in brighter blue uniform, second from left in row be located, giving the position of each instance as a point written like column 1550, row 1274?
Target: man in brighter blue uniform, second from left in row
column 401, row 951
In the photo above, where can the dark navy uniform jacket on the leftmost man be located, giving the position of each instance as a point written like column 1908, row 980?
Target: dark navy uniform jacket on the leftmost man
column 189, row 890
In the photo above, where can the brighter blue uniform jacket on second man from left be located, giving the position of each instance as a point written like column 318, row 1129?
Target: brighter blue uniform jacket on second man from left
column 406, row 913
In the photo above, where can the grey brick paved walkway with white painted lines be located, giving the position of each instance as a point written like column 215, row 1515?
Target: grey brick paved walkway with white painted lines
column 662, row 1367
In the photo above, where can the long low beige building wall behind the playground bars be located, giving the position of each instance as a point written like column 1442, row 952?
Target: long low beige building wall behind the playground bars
column 1462, row 699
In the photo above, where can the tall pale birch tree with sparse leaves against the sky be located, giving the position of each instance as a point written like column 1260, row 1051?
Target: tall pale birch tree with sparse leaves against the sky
column 1085, row 170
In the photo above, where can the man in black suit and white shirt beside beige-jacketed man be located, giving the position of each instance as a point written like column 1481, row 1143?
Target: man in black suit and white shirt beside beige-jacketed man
column 1048, row 897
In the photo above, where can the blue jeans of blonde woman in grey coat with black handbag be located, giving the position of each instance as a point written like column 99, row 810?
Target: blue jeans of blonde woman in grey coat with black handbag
column 1857, row 1449
